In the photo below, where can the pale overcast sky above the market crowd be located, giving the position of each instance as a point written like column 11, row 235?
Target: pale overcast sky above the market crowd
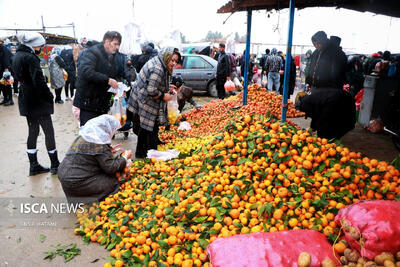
column 362, row 32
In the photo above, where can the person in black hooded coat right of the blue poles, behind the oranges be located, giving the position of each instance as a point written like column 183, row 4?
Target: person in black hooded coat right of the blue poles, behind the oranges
column 331, row 108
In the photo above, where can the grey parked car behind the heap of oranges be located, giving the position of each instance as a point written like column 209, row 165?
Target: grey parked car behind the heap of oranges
column 198, row 72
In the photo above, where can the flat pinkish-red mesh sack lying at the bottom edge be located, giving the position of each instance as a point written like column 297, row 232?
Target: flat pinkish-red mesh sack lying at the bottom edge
column 270, row 249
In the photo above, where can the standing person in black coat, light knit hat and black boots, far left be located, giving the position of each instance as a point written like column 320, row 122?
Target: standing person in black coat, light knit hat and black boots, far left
column 35, row 100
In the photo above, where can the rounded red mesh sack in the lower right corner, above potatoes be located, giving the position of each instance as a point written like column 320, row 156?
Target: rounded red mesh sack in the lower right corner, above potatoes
column 378, row 223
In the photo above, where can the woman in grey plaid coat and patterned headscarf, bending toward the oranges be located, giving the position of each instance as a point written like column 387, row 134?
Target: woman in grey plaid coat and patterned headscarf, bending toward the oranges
column 149, row 97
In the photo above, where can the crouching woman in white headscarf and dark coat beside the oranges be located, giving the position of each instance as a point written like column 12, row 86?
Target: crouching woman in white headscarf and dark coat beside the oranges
column 88, row 169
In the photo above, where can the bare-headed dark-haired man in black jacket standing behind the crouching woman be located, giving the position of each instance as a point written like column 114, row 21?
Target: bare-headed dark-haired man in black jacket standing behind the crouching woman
column 97, row 71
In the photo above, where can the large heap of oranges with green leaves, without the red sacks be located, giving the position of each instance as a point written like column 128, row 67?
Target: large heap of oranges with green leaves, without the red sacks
column 255, row 175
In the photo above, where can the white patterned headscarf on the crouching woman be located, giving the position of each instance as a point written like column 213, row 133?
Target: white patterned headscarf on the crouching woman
column 100, row 130
